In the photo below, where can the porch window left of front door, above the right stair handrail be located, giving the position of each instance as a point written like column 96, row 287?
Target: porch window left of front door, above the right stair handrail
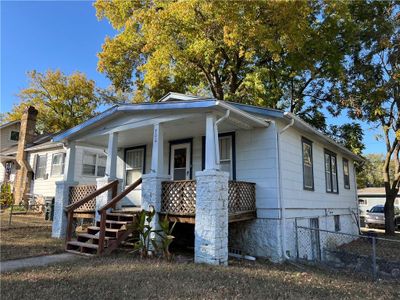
column 134, row 164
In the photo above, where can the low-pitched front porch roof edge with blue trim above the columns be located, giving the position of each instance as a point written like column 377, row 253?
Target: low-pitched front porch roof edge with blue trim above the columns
column 190, row 107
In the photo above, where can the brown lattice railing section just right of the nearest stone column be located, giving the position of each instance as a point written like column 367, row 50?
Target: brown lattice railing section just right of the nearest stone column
column 241, row 196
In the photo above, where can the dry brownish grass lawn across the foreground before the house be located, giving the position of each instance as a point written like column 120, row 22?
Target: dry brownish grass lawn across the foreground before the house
column 123, row 276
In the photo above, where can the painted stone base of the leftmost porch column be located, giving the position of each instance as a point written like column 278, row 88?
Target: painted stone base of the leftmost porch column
column 59, row 226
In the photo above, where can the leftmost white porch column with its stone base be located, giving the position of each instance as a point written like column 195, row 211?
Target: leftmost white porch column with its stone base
column 59, row 225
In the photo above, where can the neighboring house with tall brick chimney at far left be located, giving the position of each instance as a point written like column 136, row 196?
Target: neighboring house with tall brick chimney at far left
column 32, row 163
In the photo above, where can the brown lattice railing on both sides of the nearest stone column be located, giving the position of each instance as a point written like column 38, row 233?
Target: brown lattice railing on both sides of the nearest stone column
column 179, row 197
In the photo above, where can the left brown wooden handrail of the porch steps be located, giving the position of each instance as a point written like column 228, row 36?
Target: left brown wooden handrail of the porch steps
column 70, row 209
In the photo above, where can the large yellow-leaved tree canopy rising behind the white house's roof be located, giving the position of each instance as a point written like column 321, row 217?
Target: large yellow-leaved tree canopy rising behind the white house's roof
column 268, row 53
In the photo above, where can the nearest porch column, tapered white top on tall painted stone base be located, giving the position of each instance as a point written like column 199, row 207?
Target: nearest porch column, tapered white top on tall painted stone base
column 211, row 223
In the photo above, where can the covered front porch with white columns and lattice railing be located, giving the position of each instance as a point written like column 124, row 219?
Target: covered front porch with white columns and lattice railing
column 186, row 160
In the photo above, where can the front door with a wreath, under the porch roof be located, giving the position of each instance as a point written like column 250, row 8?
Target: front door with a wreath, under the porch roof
column 180, row 161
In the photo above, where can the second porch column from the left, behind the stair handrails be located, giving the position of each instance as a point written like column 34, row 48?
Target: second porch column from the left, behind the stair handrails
column 110, row 172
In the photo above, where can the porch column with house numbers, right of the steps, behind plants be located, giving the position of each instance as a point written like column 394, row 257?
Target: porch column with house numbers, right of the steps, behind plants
column 151, row 185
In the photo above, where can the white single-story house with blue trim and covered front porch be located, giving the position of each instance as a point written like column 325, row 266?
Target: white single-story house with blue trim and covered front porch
column 200, row 160
